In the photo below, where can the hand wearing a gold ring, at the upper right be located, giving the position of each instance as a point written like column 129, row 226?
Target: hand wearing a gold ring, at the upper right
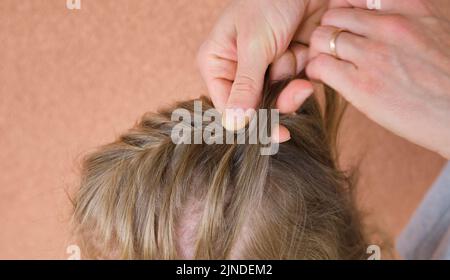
column 394, row 65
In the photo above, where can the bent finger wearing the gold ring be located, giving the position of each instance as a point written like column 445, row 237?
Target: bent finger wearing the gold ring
column 349, row 47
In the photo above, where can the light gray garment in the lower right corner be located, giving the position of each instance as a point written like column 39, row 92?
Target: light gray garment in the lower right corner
column 427, row 235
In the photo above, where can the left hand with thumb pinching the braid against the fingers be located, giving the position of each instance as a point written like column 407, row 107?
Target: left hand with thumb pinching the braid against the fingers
column 250, row 35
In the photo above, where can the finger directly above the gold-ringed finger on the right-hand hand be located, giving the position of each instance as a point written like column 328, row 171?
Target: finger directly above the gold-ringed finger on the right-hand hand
column 361, row 22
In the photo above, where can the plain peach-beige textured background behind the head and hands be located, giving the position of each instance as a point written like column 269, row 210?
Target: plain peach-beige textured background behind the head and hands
column 71, row 80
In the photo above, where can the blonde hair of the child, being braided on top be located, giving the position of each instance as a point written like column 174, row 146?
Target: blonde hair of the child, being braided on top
column 137, row 193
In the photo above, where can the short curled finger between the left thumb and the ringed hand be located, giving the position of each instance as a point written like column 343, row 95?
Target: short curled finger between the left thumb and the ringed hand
column 290, row 64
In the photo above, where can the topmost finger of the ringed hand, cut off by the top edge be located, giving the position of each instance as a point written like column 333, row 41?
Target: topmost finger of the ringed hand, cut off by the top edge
column 411, row 7
